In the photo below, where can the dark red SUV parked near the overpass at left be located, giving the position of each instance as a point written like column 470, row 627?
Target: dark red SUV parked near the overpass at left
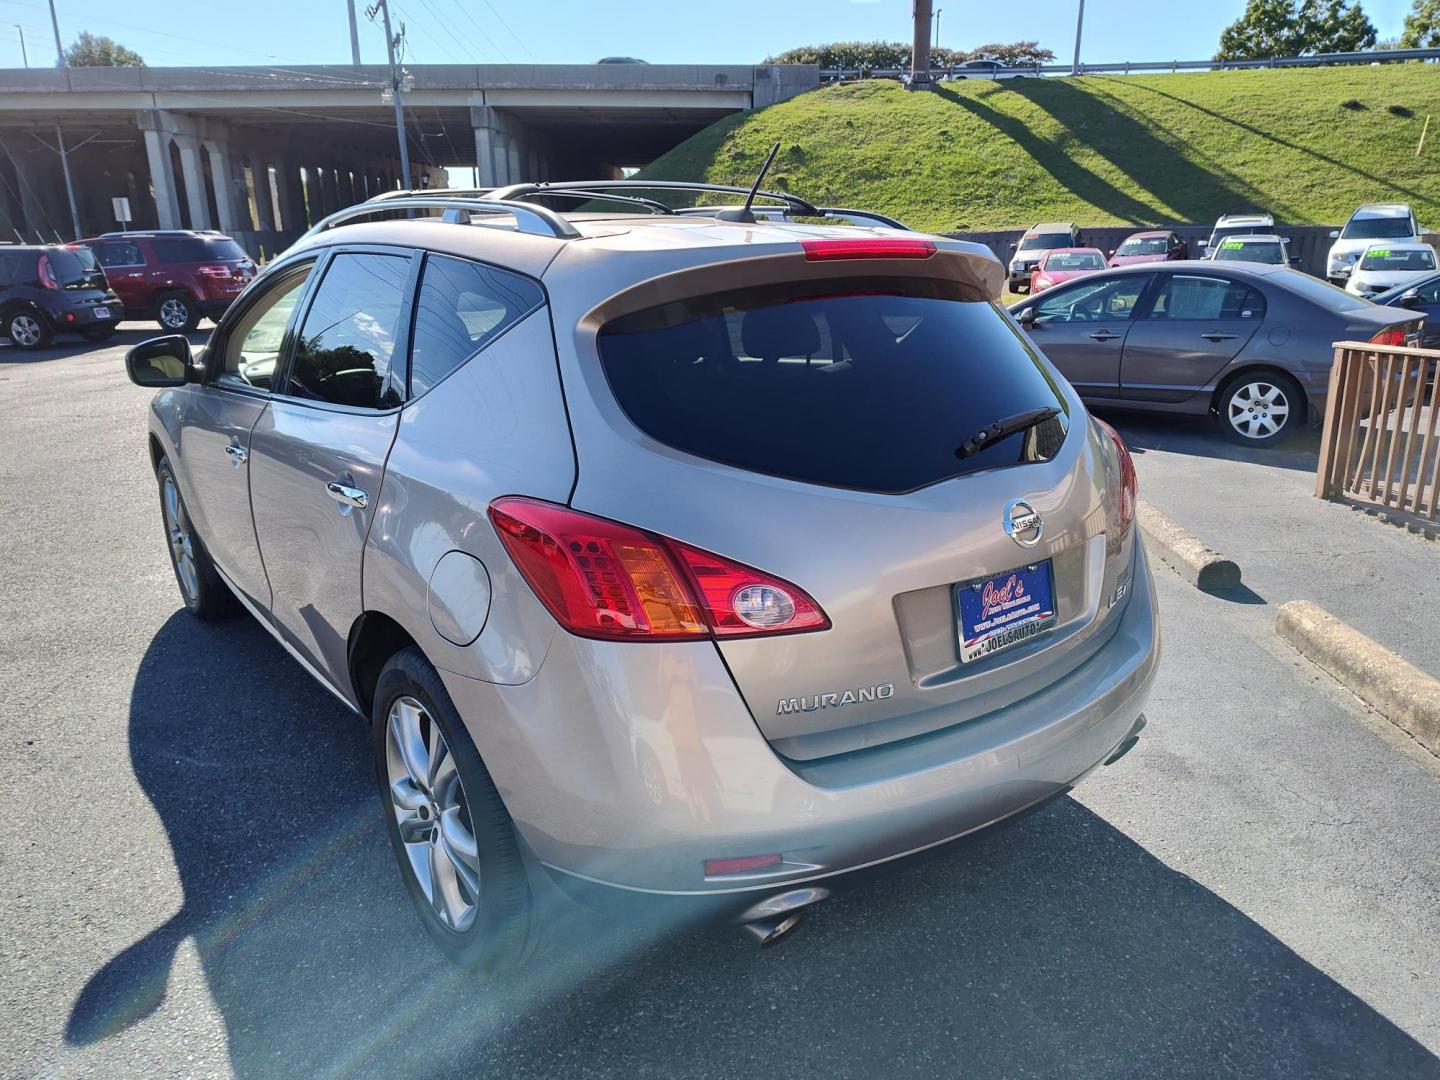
column 174, row 277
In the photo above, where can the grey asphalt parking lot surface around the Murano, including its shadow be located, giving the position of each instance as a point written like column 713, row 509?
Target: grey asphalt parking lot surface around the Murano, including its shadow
column 197, row 882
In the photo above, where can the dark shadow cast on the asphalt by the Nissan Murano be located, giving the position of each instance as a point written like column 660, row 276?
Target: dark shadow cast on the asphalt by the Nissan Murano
column 1056, row 947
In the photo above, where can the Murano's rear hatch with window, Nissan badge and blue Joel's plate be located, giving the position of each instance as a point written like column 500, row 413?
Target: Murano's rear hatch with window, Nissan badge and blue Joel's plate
column 829, row 423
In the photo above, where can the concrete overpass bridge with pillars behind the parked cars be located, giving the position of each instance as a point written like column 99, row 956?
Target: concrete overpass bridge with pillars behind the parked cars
column 266, row 152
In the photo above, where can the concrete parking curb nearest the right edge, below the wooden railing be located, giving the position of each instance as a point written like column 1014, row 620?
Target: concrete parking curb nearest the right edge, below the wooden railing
column 1390, row 685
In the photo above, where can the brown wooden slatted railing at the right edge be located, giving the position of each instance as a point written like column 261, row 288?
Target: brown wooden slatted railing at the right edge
column 1380, row 447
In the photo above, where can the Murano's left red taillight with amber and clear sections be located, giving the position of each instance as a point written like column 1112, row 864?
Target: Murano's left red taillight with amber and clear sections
column 606, row 580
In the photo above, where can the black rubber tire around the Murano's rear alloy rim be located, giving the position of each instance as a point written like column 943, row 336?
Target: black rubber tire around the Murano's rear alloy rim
column 500, row 935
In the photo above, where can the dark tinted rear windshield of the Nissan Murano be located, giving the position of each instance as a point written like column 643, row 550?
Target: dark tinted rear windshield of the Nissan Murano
column 870, row 384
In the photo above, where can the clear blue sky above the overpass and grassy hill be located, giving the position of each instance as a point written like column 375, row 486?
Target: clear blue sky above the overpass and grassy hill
column 264, row 32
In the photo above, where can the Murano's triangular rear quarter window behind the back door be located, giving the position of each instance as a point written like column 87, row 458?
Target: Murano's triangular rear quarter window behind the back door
column 462, row 309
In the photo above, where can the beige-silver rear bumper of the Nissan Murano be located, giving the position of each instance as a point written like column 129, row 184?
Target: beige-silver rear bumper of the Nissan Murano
column 629, row 767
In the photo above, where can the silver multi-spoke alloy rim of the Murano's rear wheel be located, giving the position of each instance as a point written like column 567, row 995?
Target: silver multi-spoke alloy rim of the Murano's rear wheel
column 433, row 816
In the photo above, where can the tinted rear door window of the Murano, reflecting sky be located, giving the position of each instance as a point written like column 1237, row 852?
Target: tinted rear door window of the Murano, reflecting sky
column 348, row 343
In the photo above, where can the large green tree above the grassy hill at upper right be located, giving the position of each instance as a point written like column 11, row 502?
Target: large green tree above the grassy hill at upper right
column 1297, row 28
